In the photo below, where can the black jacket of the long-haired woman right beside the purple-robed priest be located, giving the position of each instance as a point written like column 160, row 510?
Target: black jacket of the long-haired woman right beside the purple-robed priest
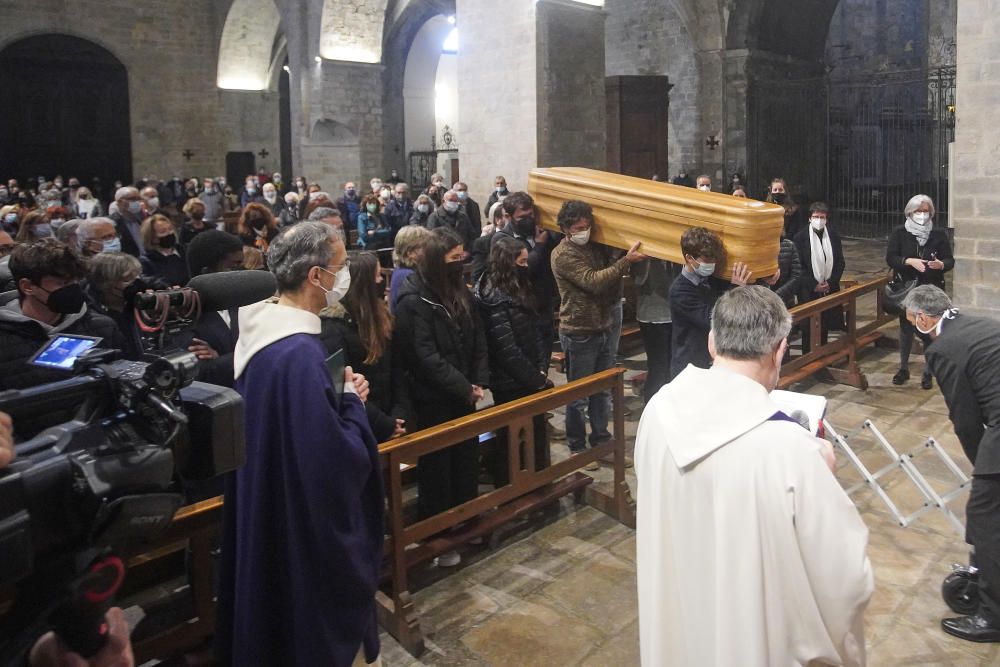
column 388, row 396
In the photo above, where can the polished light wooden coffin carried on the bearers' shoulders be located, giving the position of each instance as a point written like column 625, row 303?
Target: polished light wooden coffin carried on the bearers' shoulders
column 629, row 209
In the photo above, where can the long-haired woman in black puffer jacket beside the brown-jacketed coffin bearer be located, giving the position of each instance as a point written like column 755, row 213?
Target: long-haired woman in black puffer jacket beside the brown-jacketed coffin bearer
column 510, row 318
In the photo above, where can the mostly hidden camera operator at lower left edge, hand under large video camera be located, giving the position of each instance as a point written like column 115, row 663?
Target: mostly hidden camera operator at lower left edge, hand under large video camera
column 49, row 651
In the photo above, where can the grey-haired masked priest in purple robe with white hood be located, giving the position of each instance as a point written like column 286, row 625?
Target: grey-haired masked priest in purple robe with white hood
column 302, row 544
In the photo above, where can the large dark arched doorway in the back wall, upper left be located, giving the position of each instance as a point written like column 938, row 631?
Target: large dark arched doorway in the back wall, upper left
column 65, row 111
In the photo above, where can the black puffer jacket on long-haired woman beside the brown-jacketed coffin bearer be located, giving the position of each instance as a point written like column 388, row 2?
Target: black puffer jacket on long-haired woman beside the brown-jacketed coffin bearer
column 512, row 339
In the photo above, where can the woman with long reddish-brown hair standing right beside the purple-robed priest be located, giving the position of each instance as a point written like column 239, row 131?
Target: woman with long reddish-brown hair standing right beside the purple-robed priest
column 361, row 326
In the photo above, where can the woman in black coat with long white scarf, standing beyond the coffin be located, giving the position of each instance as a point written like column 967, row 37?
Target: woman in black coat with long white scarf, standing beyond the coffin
column 822, row 277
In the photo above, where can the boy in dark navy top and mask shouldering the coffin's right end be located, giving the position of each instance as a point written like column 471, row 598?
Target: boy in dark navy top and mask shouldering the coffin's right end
column 693, row 295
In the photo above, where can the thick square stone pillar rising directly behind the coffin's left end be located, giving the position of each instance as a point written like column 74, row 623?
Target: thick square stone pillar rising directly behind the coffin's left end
column 530, row 89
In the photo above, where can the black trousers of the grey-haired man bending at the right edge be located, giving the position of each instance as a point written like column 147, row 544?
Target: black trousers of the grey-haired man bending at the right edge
column 982, row 531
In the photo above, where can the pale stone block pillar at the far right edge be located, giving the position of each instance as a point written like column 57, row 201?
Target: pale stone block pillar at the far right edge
column 975, row 207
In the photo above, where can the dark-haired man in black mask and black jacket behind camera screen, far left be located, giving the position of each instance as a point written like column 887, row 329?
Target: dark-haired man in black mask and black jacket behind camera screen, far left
column 50, row 300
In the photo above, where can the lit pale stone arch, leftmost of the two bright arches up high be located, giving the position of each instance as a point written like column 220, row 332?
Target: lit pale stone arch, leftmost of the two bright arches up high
column 247, row 45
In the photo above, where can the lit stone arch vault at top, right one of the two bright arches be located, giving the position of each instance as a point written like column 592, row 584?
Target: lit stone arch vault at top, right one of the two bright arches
column 352, row 30
